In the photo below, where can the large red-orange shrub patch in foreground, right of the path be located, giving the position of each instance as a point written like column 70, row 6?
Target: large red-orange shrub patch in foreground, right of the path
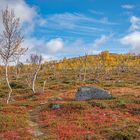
column 72, row 123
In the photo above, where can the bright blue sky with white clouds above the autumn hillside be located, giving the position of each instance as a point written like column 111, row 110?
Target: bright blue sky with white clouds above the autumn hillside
column 71, row 28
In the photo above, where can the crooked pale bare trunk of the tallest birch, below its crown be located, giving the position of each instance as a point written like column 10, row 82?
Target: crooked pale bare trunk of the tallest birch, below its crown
column 7, row 80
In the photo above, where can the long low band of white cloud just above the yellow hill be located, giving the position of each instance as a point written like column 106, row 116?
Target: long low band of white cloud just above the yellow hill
column 58, row 48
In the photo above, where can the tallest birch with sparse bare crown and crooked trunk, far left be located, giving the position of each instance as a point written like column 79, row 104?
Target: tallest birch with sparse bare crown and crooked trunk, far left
column 10, row 42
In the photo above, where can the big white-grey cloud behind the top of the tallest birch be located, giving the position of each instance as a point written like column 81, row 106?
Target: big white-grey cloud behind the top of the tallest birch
column 28, row 14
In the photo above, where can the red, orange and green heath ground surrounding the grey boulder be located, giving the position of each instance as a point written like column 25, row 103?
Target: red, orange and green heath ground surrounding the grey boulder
column 56, row 115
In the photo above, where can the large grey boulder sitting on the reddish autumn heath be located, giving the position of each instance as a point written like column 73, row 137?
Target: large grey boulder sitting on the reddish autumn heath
column 86, row 93
